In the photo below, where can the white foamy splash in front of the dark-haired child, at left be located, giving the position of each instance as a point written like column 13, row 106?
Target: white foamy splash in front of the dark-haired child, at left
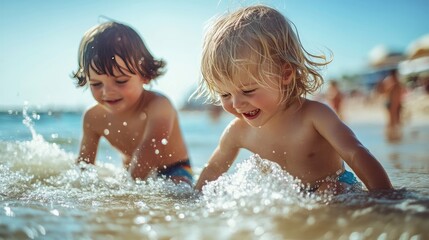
column 37, row 170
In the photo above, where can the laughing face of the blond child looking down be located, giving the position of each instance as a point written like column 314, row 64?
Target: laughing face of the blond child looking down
column 250, row 101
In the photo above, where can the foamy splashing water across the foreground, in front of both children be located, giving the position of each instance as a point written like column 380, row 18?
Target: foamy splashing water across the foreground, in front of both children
column 44, row 195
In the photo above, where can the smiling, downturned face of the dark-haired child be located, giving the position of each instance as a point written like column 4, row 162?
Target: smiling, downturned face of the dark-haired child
column 117, row 93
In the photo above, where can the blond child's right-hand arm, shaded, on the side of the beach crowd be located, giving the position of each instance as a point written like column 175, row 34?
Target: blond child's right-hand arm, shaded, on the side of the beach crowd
column 358, row 157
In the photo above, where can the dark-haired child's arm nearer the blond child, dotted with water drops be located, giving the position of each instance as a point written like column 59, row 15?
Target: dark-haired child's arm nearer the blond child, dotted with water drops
column 151, row 152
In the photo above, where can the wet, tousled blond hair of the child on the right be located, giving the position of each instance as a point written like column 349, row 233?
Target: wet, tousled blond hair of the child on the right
column 261, row 39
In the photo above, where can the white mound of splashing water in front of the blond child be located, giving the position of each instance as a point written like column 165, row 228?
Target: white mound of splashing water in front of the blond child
column 258, row 185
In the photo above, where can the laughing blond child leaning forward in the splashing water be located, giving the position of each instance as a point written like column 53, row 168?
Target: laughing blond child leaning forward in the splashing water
column 254, row 65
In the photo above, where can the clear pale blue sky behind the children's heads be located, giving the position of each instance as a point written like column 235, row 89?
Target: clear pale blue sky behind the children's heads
column 39, row 39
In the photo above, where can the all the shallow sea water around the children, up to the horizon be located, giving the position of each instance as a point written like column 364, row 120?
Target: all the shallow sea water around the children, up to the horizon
column 43, row 195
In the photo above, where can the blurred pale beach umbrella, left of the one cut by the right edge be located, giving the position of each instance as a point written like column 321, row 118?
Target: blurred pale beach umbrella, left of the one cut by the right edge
column 380, row 57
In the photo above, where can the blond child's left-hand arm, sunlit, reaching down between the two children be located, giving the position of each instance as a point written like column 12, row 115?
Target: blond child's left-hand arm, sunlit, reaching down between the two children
column 221, row 159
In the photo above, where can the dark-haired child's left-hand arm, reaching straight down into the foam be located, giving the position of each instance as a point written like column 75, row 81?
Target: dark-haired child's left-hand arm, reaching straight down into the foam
column 89, row 142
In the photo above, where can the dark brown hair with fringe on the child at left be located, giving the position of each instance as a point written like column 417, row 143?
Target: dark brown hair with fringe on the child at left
column 102, row 43
